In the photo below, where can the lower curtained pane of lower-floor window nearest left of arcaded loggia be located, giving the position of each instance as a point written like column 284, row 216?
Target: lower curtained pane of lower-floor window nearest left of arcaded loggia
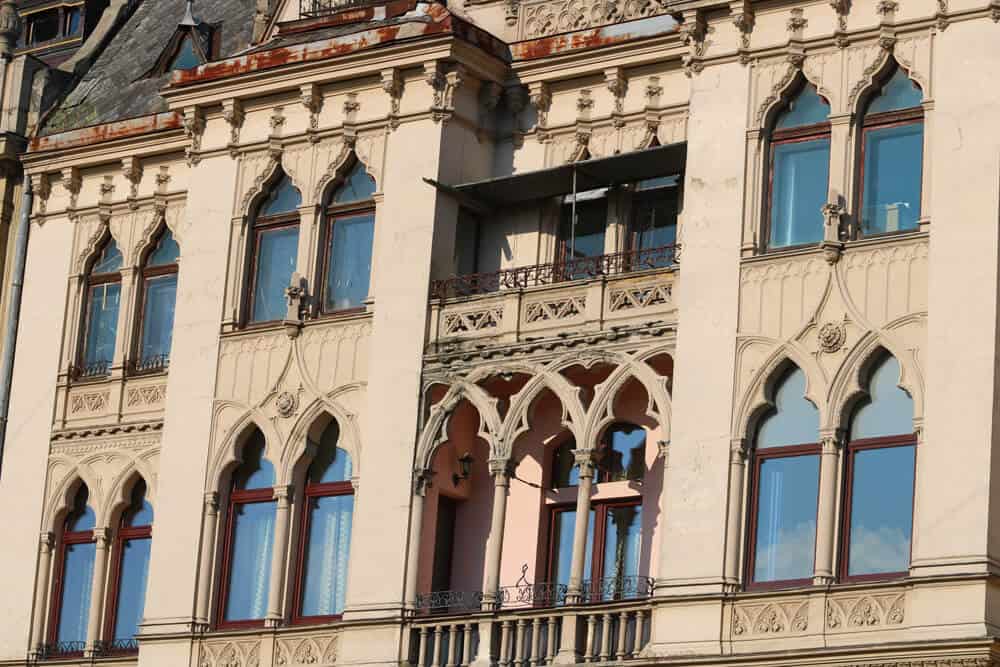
column 326, row 555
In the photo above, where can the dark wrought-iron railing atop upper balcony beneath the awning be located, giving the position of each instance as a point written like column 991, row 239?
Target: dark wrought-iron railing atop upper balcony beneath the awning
column 546, row 274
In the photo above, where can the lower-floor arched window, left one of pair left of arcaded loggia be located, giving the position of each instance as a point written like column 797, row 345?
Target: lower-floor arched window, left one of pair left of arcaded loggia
column 249, row 539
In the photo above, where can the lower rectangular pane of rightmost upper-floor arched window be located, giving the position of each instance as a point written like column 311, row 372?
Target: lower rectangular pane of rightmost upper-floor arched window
column 893, row 166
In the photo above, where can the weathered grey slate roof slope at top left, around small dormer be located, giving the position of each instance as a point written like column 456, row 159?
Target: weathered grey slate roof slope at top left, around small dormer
column 113, row 88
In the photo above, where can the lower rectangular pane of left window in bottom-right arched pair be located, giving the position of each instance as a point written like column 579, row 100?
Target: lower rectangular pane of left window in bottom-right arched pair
column 786, row 518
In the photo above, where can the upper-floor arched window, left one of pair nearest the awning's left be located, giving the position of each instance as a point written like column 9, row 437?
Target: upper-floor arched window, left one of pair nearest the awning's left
column 275, row 251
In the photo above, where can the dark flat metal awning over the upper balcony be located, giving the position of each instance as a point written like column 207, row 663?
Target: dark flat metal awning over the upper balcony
column 590, row 174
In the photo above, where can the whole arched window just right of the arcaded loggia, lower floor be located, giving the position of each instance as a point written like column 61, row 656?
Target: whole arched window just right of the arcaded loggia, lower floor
column 785, row 489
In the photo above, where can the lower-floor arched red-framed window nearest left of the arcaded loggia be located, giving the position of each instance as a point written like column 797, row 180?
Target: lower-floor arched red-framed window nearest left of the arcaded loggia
column 325, row 538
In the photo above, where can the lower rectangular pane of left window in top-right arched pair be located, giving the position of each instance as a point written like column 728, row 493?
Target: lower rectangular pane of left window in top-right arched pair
column 798, row 191
